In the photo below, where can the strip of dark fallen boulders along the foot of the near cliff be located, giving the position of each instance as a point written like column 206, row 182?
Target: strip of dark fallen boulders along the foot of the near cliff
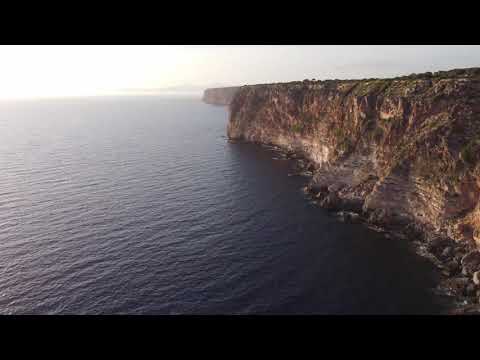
column 457, row 263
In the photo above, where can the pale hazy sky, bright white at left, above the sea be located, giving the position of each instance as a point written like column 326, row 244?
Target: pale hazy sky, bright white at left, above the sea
column 30, row 71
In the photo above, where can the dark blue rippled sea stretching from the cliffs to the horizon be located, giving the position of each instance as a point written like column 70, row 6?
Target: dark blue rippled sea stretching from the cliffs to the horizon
column 139, row 205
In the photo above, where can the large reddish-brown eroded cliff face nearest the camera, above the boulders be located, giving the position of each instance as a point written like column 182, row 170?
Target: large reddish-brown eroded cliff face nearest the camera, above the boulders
column 407, row 148
